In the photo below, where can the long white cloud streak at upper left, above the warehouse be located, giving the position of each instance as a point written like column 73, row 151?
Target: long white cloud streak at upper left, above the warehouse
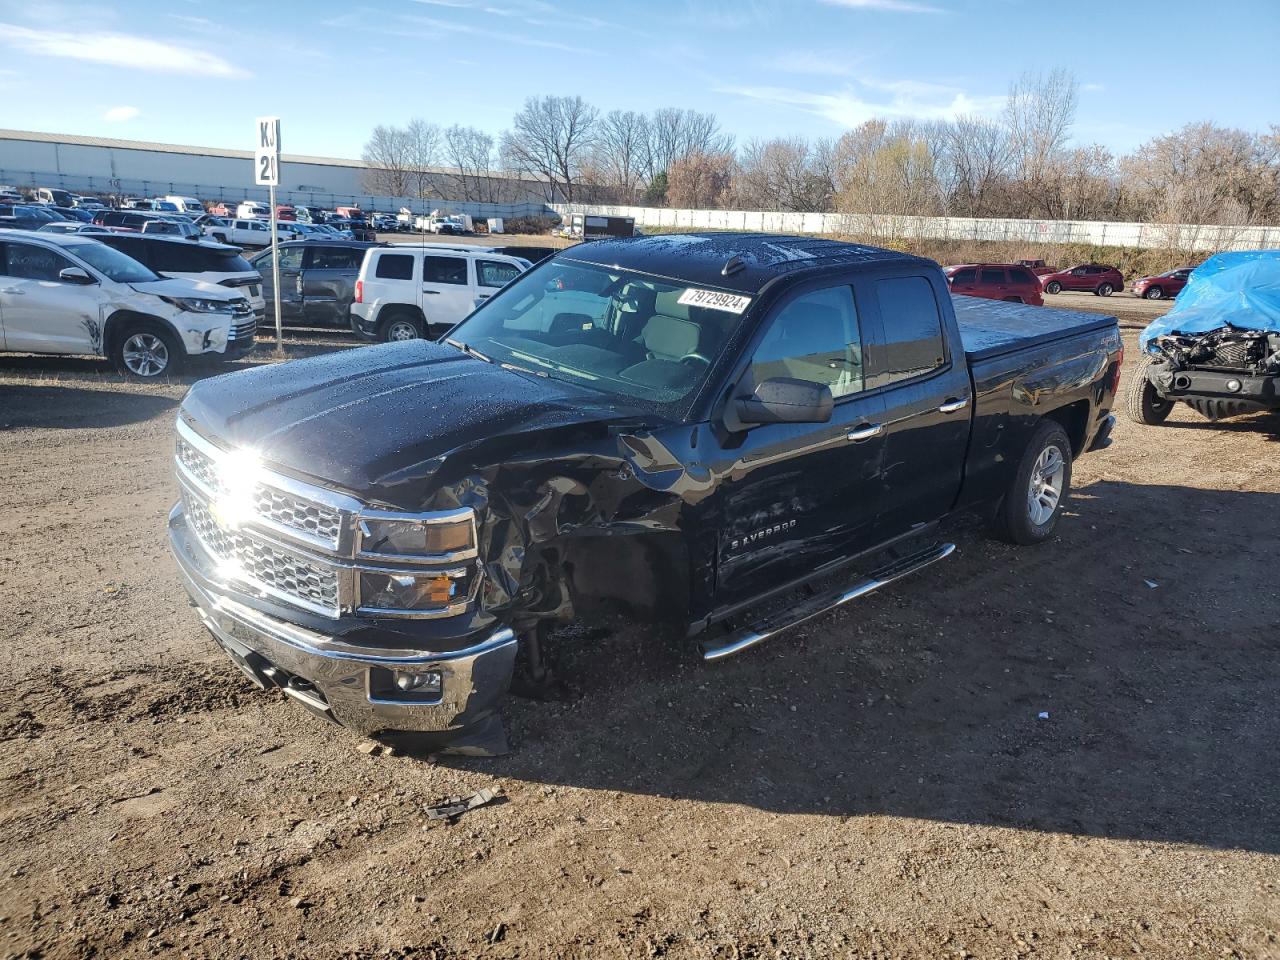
column 118, row 51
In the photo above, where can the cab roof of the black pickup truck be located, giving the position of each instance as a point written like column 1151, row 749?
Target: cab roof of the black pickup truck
column 744, row 263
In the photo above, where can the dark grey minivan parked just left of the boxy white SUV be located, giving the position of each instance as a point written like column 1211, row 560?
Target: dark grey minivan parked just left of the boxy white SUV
column 318, row 281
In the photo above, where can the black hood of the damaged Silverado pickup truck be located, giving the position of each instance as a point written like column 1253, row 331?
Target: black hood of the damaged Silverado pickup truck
column 381, row 422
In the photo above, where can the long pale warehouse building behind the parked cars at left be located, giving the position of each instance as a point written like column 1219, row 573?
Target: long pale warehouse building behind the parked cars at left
column 106, row 166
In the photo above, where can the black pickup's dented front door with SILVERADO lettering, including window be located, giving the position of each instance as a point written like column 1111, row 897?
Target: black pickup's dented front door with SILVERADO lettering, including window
column 799, row 496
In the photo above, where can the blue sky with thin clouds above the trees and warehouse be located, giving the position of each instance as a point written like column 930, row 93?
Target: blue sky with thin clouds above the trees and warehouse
column 199, row 74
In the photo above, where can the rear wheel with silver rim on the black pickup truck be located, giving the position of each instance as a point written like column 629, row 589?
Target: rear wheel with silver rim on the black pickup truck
column 1034, row 502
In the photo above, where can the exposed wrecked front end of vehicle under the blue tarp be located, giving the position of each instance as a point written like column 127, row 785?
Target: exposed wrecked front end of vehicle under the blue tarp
column 1220, row 374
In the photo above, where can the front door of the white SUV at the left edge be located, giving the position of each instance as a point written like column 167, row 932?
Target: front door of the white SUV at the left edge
column 43, row 314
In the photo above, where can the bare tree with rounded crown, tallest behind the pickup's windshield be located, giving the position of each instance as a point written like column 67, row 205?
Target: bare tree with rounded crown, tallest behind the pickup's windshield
column 550, row 139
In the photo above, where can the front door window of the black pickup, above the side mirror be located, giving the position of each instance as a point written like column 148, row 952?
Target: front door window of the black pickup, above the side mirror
column 816, row 339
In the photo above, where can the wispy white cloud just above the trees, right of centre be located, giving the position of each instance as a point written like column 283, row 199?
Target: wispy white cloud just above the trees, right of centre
column 907, row 100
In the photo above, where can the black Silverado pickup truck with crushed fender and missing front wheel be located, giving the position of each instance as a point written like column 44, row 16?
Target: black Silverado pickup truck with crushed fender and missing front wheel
column 689, row 429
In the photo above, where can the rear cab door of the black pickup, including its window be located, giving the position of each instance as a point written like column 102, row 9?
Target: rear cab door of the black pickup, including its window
column 926, row 394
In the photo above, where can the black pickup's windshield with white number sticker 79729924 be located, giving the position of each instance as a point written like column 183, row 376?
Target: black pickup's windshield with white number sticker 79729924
column 607, row 330
